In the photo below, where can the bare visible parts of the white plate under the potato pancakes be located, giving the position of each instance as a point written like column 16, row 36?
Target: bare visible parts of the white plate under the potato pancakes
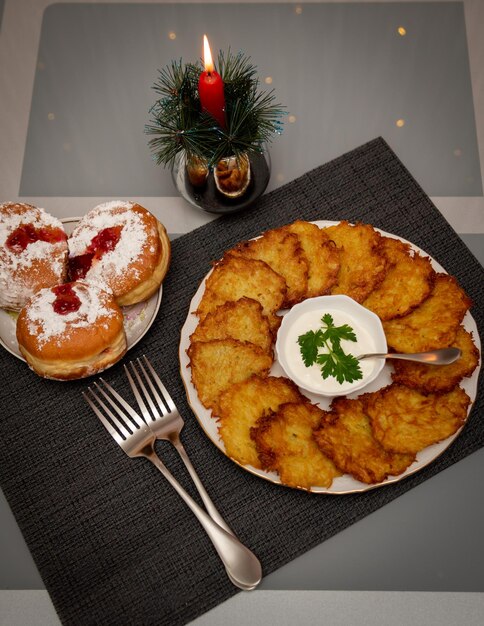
column 346, row 483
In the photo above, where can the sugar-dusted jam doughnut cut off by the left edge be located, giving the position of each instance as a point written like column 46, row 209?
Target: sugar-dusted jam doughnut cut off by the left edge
column 33, row 253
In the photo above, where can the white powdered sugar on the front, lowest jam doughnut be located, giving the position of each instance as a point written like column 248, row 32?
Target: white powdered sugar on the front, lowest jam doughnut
column 41, row 314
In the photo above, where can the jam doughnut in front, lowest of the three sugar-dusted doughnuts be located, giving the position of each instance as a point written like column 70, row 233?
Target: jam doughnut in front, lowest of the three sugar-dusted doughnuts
column 71, row 331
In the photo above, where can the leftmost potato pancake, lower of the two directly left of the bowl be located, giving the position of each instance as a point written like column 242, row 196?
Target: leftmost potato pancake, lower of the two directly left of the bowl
column 217, row 364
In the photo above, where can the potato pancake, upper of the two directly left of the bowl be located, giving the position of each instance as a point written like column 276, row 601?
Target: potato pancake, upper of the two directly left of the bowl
column 242, row 320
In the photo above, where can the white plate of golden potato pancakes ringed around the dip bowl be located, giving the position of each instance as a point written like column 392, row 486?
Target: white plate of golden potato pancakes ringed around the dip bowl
column 256, row 415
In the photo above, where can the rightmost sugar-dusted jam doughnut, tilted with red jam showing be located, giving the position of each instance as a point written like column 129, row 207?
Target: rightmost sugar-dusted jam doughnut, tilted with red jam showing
column 123, row 248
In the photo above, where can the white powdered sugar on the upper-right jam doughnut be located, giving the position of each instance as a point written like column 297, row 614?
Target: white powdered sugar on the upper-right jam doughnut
column 130, row 245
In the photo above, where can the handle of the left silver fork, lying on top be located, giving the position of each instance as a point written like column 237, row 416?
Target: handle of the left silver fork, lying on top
column 242, row 566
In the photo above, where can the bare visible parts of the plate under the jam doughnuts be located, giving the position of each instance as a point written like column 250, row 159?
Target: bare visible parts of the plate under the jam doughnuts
column 137, row 318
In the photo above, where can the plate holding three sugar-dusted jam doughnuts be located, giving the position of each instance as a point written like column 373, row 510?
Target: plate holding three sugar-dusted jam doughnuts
column 77, row 293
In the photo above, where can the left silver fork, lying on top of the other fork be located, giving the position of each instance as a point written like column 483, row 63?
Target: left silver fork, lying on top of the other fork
column 136, row 439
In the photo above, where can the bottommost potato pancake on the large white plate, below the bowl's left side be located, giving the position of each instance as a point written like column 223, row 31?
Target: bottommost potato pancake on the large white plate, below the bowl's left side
column 285, row 444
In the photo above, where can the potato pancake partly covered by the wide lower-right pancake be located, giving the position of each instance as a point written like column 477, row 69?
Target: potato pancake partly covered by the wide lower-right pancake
column 346, row 437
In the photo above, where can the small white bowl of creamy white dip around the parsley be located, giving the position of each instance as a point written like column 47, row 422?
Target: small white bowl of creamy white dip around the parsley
column 307, row 316
